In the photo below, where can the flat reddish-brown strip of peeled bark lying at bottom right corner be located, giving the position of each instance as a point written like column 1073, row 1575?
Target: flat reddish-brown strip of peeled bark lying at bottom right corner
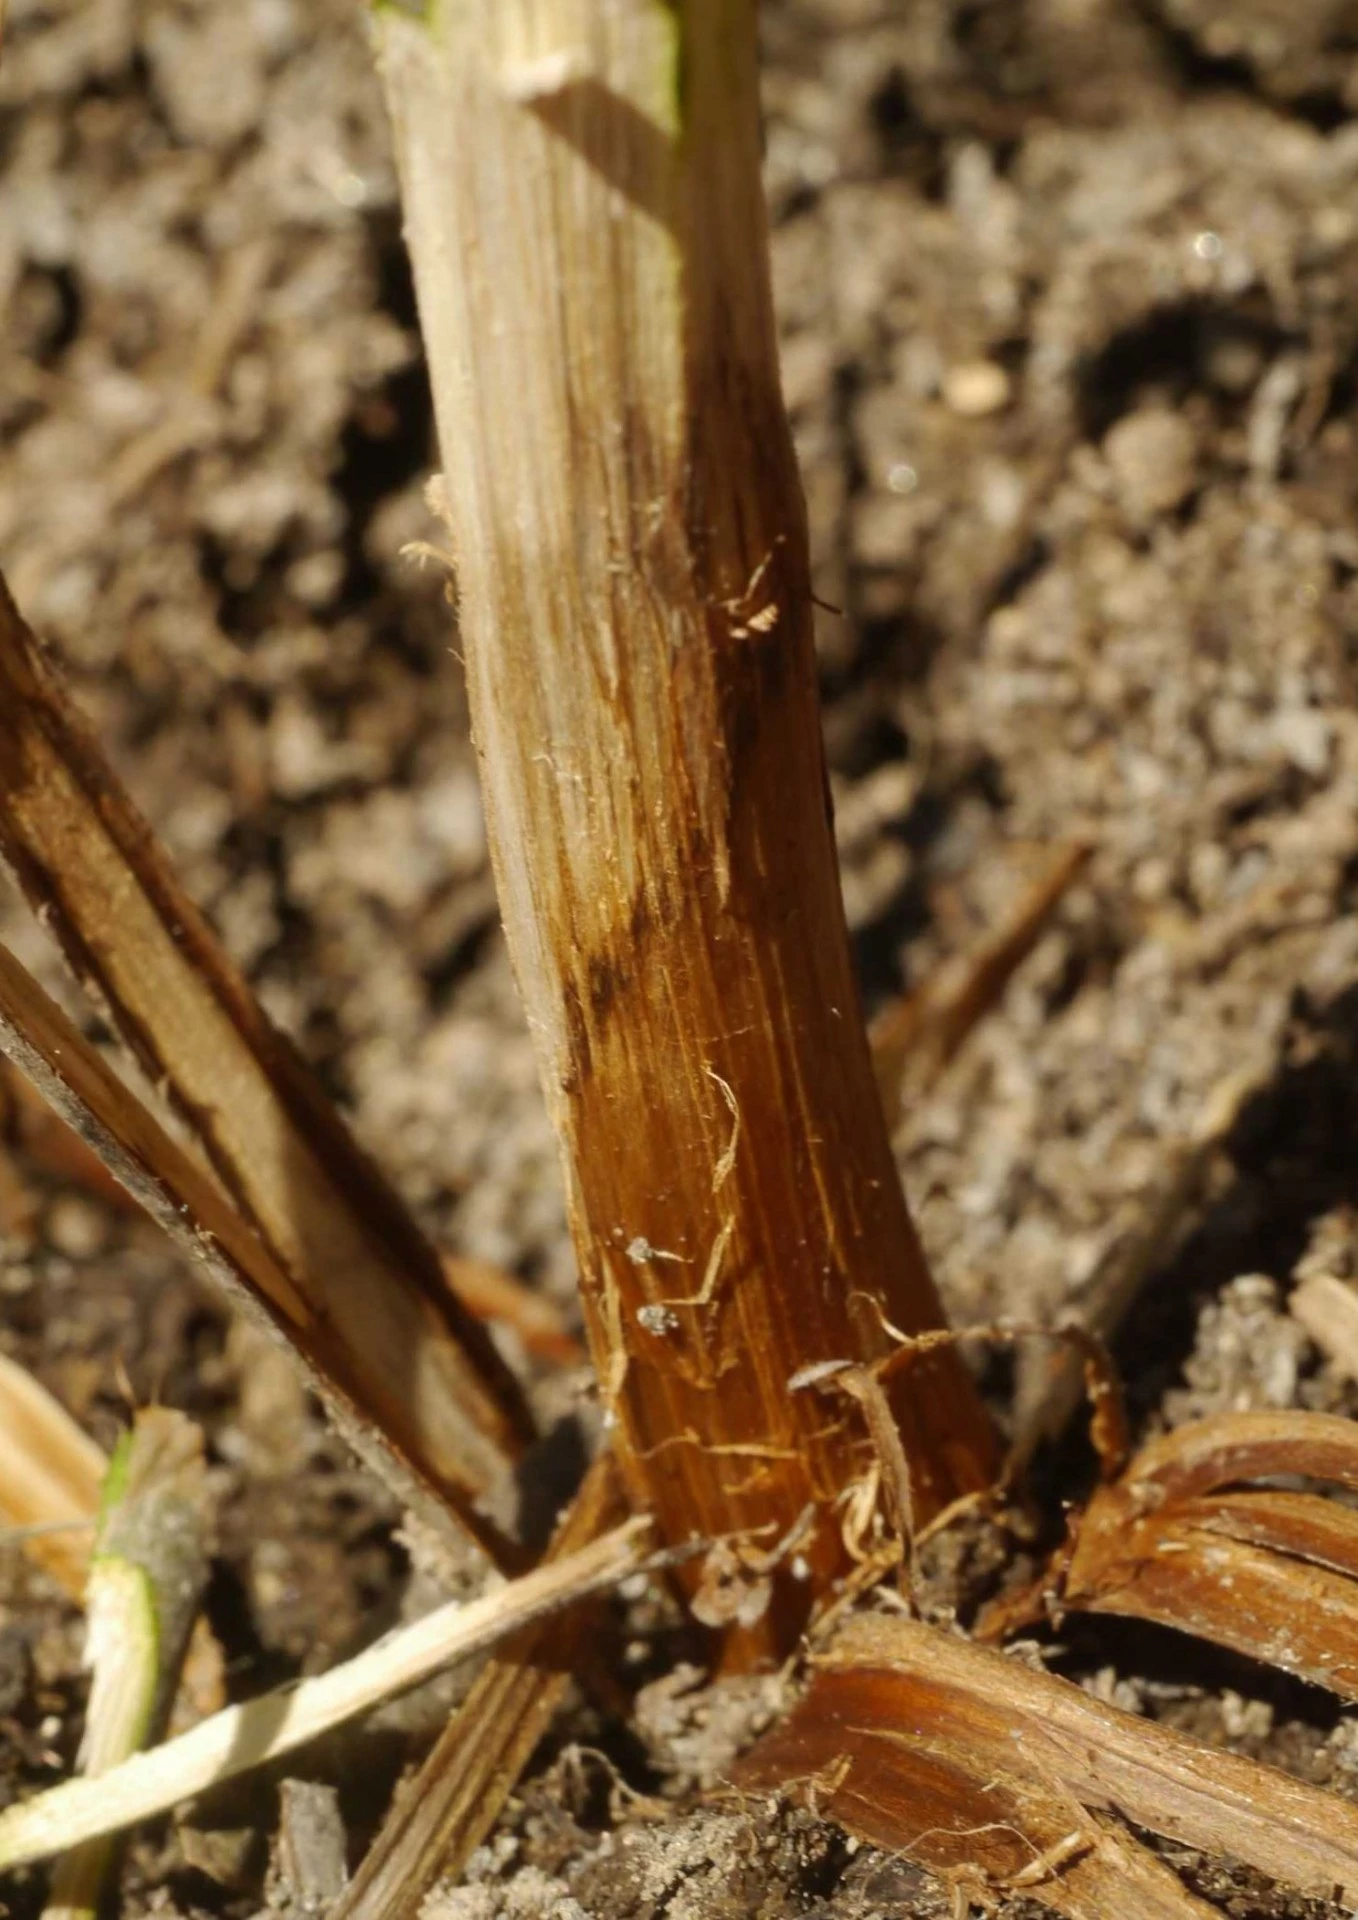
column 998, row 1777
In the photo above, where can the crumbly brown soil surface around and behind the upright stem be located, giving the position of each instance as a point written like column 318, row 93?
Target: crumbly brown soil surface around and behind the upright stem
column 1071, row 341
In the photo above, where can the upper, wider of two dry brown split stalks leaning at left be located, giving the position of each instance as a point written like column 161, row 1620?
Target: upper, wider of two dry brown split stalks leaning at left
column 316, row 1205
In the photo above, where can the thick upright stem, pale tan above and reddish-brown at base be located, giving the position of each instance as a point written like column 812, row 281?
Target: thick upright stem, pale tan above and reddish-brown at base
column 587, row 224
